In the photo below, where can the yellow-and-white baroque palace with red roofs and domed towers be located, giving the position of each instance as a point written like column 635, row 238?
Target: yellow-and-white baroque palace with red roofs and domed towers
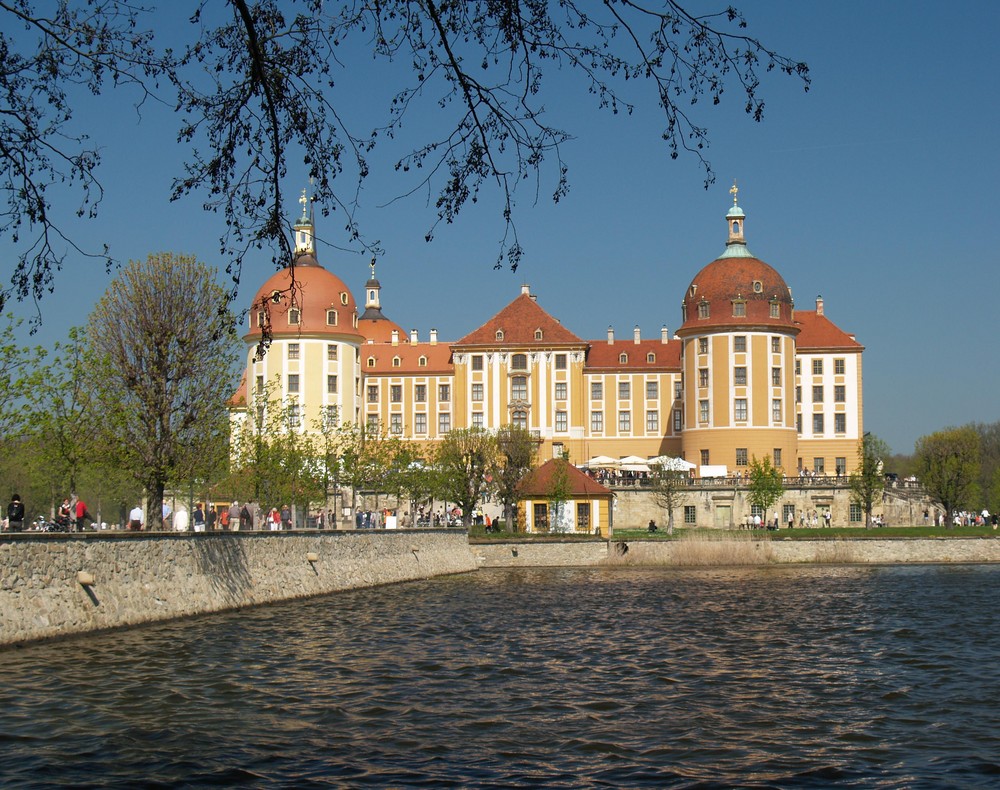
column 746, row 375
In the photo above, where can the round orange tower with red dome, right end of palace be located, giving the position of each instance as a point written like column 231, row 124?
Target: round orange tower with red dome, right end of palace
column 738, row 359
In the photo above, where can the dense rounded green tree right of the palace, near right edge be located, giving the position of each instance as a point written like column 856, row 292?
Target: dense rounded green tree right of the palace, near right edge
column 948, row 464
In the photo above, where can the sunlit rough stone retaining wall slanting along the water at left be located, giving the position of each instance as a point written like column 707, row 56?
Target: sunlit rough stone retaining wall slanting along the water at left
column 140, row 578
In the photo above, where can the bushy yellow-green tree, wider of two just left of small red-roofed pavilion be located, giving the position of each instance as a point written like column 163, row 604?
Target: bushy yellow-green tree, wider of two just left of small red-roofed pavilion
column 463, row 459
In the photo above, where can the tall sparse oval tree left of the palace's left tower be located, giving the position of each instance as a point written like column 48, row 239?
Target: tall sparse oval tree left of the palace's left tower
column 156, row 339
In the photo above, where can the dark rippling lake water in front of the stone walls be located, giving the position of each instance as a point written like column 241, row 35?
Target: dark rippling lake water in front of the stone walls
column 591, row 677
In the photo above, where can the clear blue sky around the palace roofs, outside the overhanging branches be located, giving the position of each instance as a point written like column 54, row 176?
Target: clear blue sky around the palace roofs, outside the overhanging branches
column 874, row 190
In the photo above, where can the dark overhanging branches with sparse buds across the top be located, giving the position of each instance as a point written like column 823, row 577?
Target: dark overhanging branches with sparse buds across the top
column 257, row 82
